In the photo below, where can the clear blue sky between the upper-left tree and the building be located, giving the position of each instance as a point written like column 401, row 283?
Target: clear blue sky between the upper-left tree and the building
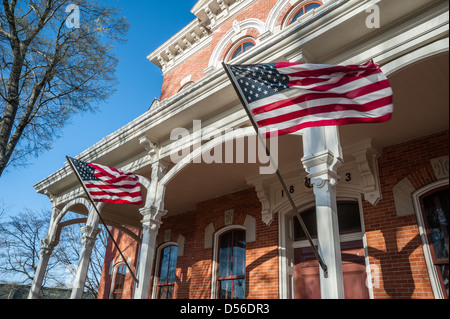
column 152, row 23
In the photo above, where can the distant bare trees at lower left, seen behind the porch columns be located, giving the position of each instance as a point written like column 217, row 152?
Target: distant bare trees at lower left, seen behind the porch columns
column 20, row 238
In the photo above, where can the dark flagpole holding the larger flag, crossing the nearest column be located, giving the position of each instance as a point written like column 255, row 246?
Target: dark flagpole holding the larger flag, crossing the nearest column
column 277, row 172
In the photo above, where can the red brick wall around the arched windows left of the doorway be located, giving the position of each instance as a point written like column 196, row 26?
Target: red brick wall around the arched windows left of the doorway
column 194, row 268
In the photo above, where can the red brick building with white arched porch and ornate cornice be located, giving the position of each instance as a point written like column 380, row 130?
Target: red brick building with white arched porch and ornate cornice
column 215, row 226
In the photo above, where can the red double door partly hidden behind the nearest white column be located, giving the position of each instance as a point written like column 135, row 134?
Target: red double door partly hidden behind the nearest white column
column 307, row 276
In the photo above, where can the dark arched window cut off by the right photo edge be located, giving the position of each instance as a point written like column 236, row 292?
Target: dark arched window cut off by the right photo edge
column 435, row 212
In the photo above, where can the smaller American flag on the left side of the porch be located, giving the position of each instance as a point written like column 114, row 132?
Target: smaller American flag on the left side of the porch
column 108, row 184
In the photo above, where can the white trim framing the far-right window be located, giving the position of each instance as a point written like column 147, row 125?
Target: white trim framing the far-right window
column 432, row 272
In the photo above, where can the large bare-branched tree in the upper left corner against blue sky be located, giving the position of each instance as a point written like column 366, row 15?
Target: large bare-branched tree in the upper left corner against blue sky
column 56, row 59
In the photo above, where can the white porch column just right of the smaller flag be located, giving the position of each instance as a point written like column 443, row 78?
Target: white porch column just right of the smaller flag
column 152, row 214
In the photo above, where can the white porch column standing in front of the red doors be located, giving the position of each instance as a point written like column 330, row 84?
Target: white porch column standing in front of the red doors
column 322, row 158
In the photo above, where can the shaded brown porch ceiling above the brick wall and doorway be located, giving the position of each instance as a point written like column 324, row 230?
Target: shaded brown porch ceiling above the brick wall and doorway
column 421, row 108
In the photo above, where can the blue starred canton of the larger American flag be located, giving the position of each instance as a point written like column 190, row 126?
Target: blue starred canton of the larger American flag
column 258, row 81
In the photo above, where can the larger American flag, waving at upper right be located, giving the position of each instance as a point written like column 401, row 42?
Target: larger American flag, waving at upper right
column 286, row 97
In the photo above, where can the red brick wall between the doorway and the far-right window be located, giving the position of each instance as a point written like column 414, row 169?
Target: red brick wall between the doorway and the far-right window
column 394, row 244
